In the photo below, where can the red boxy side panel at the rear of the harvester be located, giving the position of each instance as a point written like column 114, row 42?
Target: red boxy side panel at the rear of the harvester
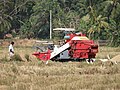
column 82, row 49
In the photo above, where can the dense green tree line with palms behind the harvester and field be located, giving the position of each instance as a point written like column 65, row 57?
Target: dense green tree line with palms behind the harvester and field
column 98, row 19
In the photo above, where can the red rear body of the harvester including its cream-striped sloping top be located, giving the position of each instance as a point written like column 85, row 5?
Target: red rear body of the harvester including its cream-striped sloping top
column 82, row 47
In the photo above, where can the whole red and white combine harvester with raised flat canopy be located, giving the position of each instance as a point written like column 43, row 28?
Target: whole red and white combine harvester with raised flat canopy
column 76, row 46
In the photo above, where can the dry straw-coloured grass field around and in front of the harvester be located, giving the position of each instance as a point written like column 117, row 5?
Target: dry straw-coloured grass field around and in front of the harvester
column 36, row 75
